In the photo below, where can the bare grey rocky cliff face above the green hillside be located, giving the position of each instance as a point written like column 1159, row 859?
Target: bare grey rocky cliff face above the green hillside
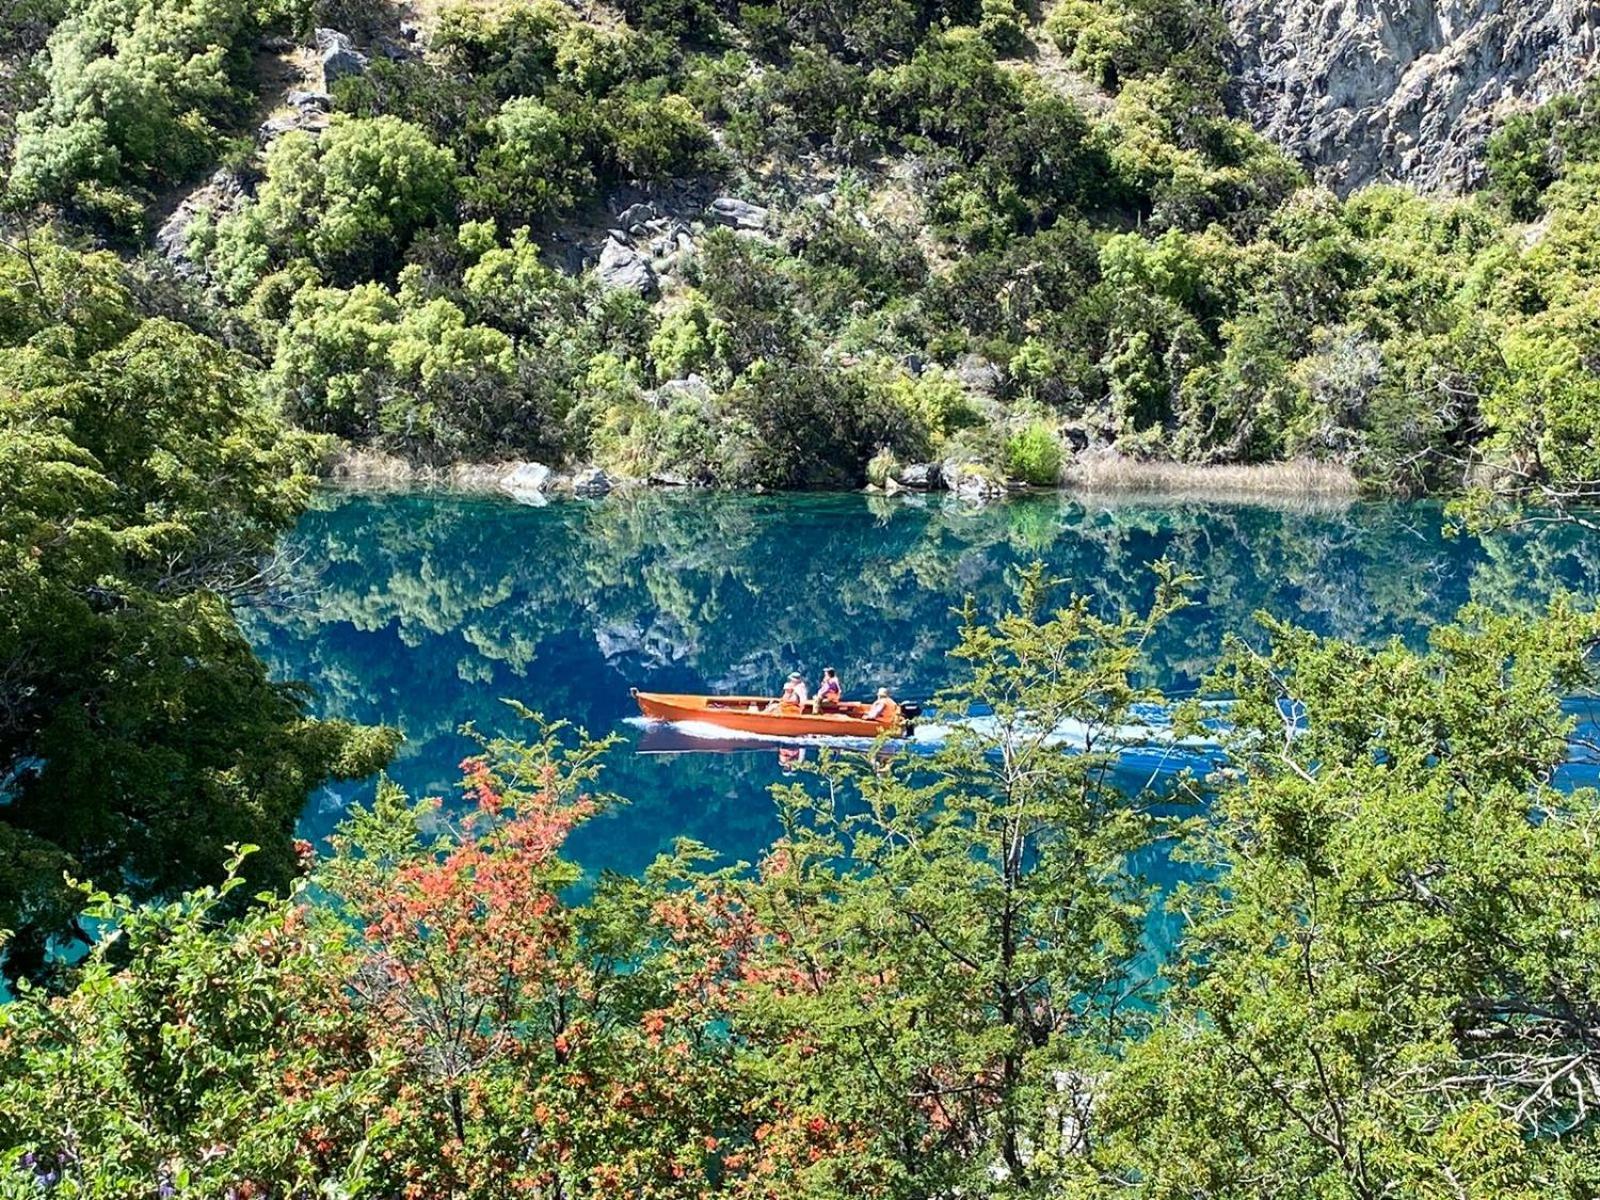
column 1404, row 90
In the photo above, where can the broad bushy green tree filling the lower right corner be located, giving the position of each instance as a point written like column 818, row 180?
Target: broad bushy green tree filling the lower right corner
column 1385, row 986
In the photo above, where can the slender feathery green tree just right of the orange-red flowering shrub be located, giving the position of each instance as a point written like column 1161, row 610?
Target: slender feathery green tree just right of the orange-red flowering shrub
column 953, row 954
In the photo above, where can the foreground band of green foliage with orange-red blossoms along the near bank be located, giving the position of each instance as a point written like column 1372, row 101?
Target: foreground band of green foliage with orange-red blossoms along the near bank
column 937, row 982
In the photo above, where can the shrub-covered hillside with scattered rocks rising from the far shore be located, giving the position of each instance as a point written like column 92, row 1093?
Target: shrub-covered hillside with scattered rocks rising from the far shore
column 823, row 242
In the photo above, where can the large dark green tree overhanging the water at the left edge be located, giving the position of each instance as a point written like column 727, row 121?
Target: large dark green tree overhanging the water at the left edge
column 143, row 481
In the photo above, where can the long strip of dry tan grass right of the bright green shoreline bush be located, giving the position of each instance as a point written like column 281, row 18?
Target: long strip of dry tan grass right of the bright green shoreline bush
column 1300, row 481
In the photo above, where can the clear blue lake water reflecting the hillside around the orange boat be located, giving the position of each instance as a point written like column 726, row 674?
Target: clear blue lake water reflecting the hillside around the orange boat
column 423, row 610
